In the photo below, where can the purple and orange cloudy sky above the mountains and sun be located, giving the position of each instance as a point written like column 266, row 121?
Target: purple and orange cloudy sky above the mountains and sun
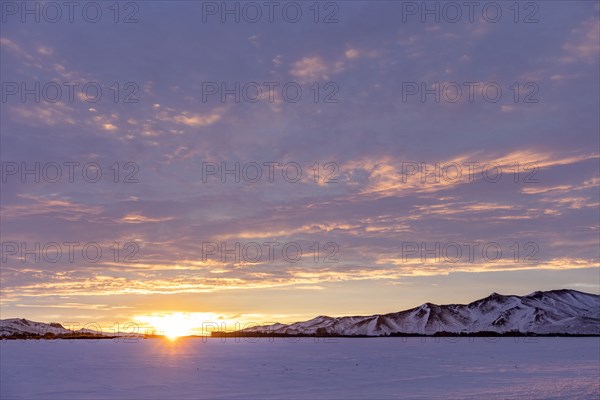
column 236, row 163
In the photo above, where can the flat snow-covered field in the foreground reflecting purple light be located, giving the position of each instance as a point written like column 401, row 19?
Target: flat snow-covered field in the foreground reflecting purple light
column 413, row 368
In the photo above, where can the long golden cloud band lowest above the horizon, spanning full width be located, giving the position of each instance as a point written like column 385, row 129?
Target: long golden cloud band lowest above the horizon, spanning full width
column 72, row 283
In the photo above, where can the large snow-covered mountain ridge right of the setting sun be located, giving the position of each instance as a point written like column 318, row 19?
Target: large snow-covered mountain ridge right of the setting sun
column 552, row 312
